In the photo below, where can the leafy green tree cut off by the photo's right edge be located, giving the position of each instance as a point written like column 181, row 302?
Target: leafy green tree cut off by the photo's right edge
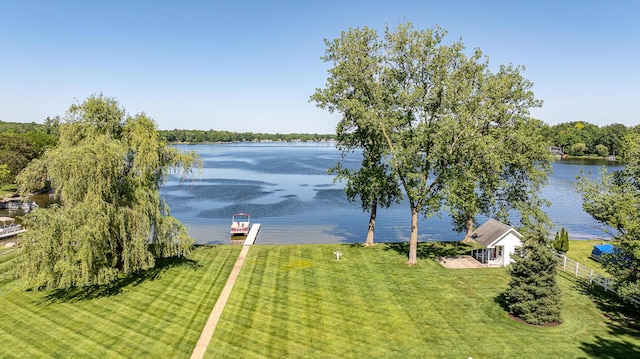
column 613, row 200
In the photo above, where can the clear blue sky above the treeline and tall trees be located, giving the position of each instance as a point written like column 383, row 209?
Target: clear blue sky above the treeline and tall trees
column 252, row 65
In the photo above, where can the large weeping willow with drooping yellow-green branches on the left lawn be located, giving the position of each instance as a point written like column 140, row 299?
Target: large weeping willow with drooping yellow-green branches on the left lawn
column 109, row 219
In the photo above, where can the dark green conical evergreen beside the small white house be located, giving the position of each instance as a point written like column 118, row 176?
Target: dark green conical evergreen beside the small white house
column 533, row 294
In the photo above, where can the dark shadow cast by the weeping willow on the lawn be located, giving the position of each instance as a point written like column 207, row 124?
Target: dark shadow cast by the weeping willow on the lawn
column 115, row 288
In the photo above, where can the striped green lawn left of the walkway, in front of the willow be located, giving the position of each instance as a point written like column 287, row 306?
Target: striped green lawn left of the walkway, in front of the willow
column 158, row 316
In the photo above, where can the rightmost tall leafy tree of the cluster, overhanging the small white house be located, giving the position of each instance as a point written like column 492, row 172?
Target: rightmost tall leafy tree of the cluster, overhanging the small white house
column 506, row 162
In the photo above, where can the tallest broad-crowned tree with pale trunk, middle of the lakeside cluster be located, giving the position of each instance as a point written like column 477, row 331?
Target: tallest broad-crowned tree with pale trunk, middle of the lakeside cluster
column 431, row 104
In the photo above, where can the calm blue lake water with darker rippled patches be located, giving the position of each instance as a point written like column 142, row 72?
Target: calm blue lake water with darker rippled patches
column 285, row 188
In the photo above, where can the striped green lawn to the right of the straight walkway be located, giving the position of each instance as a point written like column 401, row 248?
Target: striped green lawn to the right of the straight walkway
column 298, row 301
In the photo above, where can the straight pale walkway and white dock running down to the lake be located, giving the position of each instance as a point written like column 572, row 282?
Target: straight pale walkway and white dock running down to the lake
column 216, row 312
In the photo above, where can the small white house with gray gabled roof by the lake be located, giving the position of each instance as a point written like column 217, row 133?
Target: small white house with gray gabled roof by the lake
column 498, row 241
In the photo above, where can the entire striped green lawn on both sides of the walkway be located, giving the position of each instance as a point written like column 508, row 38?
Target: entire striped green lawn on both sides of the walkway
column 298, row 301
